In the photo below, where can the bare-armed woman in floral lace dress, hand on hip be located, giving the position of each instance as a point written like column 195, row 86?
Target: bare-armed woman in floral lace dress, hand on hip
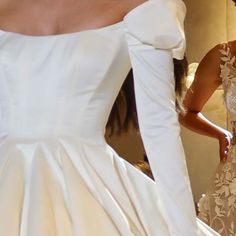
column 218, row 67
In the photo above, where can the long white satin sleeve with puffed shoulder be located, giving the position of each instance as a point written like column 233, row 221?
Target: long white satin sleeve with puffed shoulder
column 155, row 36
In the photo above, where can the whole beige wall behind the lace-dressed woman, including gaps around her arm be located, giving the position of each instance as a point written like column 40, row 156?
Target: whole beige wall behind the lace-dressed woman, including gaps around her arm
column 207, row 24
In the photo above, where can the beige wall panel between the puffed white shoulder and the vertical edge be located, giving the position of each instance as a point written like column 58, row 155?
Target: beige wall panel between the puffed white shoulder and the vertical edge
column 205, row 26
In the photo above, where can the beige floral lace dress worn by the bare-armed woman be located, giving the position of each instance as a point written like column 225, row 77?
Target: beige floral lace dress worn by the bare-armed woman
column 218, row 207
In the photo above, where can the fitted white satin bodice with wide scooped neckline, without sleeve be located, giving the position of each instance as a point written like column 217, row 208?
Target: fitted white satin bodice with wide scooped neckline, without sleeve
column 61, row 84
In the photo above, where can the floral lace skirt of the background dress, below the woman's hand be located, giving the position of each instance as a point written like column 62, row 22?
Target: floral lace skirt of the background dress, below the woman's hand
column 218, row 207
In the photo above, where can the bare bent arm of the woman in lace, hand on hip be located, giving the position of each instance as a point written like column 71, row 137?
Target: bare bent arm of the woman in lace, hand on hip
column 206, row 81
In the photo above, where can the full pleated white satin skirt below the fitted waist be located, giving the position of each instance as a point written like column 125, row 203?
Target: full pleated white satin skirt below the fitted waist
column 68, row 187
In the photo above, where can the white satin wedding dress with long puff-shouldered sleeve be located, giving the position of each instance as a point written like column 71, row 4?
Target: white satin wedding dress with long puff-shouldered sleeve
column 58, row 176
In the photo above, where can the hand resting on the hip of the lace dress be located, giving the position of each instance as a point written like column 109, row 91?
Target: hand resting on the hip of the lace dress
column 224, row 144
